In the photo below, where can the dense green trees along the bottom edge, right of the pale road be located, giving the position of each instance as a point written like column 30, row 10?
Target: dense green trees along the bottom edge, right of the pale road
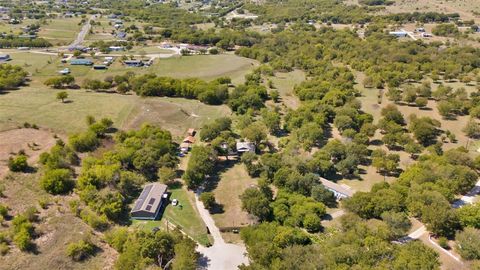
column 358, row 243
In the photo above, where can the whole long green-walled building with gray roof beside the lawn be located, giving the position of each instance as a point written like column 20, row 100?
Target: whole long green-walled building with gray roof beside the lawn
column 150, row 201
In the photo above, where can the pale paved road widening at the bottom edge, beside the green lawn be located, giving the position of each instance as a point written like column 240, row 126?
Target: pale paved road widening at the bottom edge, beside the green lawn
column 221, row 255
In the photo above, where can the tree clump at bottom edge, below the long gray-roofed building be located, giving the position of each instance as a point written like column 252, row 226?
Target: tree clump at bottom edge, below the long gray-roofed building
column 142, row 249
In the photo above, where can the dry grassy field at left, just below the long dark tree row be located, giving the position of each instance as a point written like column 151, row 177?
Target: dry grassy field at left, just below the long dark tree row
column 37, row 104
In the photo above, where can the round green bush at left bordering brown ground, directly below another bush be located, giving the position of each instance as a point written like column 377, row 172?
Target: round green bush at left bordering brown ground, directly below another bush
column 57, row 181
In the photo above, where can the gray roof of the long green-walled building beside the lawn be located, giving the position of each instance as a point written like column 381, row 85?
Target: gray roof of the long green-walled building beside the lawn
column 150, row 198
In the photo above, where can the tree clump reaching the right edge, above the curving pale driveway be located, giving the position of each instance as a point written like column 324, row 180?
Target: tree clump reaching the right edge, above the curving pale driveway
column 424, row 190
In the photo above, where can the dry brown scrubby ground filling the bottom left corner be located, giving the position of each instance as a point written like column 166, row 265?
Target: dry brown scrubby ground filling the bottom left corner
column 55, row 229
